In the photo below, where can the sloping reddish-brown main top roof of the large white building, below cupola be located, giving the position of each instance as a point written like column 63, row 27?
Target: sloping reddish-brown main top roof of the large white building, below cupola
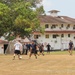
column 58, row 19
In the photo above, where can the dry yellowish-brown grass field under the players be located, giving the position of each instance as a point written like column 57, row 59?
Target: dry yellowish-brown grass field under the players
column 55, row 63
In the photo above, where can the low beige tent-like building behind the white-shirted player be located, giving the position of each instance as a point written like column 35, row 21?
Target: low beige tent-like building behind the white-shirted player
column 10, row 48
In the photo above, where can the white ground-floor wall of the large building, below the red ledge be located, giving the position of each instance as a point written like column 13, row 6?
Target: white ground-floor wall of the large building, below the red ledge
column 57, row 43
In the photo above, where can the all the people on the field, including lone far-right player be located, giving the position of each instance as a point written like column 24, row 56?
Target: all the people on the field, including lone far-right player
column 34, row 48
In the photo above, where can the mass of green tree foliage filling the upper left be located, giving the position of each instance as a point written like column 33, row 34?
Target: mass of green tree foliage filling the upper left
column 18, row 16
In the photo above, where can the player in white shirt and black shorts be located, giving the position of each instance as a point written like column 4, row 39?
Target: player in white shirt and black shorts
column 17, row 49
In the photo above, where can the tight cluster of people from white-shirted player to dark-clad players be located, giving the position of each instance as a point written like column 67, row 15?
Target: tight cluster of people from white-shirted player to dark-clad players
column 32, row 48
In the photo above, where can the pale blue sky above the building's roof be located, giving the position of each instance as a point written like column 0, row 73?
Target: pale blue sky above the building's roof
column 66, row 7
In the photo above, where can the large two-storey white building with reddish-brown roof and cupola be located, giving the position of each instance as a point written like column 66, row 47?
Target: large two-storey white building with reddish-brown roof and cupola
column 59, row 30
